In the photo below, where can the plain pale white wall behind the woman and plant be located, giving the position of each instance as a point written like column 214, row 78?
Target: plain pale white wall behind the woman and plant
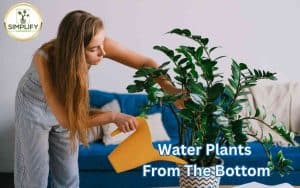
column 264, row 34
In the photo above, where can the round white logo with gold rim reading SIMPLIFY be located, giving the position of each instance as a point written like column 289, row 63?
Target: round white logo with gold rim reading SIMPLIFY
column 23, row 21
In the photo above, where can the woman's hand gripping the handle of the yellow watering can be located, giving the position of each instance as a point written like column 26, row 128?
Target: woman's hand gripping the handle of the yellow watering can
column 125, row 122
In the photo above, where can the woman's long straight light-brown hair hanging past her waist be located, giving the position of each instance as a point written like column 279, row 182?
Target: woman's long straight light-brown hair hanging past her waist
column 69, row 70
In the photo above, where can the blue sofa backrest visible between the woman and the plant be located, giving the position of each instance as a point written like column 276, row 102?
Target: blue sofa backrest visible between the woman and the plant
column 132, row 103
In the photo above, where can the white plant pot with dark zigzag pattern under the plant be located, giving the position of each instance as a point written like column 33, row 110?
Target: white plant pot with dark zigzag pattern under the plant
column 199, row 181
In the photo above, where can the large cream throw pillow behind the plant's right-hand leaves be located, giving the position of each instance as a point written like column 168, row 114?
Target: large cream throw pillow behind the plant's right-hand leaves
column 280, row 100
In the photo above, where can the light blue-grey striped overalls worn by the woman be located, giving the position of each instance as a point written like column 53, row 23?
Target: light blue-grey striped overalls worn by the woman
column 41, row 144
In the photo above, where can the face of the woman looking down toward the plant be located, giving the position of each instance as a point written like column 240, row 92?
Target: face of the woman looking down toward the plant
column 94, row 52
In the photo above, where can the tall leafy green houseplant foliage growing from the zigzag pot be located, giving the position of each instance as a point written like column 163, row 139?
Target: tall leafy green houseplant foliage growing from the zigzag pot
column 213, row 105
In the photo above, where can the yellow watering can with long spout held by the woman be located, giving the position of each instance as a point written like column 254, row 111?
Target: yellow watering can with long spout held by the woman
column 137, row 150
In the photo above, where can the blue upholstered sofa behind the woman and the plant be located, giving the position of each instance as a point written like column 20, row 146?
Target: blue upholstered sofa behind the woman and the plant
column 96, row 171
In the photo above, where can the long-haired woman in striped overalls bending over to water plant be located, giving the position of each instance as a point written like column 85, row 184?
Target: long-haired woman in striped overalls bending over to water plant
column 52, row 101
